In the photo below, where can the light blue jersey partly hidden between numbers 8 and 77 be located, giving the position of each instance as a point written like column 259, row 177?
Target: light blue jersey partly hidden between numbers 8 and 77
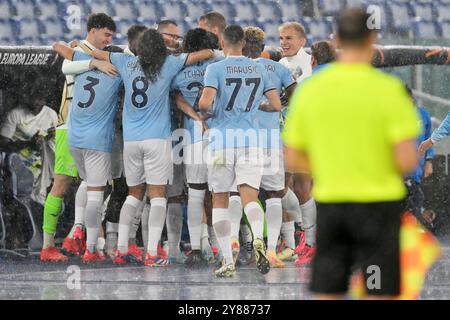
column 190, row 82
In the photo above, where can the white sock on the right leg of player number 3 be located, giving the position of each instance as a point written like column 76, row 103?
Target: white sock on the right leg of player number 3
column 93, row 206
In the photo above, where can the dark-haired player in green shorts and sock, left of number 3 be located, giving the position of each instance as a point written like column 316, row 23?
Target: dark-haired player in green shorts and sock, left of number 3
column 100, row 28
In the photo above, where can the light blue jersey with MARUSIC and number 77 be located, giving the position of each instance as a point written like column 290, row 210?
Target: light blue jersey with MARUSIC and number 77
column 241, row 84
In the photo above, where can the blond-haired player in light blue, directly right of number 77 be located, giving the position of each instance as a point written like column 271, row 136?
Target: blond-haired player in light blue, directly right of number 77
column 272, row 181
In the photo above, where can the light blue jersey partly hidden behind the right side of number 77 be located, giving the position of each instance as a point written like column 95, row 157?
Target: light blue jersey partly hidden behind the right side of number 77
column 270, row 121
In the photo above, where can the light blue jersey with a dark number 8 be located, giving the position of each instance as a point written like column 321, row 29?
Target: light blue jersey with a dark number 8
column 146, row 113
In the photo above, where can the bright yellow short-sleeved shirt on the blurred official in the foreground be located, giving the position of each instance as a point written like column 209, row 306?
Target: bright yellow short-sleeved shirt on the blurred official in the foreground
column 347, row 118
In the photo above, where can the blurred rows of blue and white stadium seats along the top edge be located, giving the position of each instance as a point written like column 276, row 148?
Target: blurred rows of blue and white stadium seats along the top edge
column 43, row 20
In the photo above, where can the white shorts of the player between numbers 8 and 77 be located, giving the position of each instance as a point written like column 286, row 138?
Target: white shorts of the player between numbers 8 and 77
column 194, row 156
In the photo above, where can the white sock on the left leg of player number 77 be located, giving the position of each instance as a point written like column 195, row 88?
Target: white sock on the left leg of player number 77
column 222, row 227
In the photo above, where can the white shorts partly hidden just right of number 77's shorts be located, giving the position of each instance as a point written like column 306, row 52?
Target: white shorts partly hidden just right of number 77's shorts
column 273, row 170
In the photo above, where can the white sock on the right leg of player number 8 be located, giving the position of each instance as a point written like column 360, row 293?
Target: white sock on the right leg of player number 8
column 156, row 220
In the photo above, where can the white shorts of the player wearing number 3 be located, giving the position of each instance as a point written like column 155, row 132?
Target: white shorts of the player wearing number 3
column 93, row 166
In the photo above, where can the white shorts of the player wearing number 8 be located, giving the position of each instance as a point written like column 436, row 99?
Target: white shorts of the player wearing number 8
column 148, row 161
